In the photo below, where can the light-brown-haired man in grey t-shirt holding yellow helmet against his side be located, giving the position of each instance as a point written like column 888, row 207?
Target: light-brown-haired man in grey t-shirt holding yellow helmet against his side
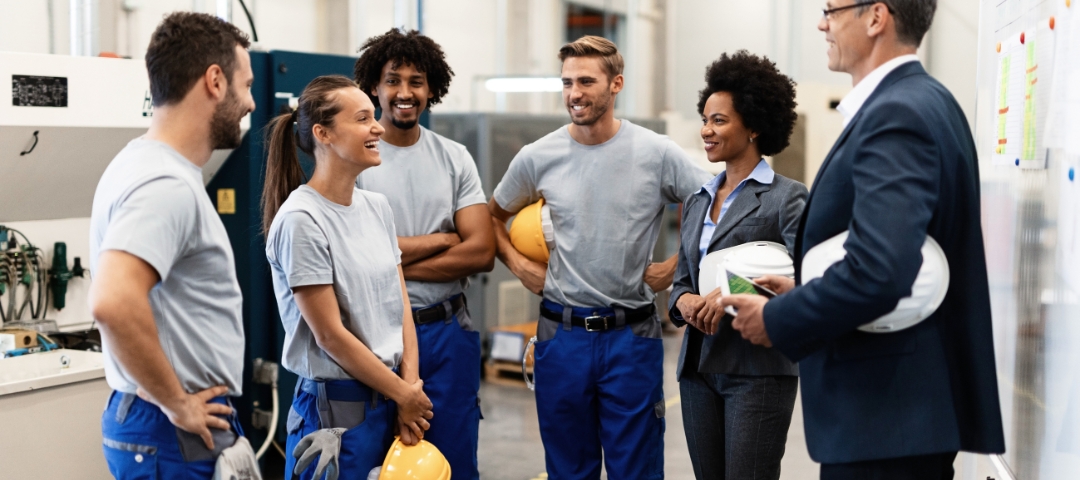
column 600, row 358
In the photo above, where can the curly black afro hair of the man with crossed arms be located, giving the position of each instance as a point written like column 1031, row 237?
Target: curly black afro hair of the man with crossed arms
column 401, row 48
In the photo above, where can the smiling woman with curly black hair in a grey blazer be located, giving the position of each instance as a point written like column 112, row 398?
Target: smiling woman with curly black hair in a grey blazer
column 737, row 397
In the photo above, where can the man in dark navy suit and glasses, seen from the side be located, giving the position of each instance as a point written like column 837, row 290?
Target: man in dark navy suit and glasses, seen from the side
column 894, row 406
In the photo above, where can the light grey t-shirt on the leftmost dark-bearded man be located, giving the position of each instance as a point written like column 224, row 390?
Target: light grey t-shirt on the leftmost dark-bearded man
column 152, row 204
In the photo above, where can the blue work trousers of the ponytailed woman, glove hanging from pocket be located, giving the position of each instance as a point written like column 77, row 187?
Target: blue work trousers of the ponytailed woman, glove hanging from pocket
column 367, row 415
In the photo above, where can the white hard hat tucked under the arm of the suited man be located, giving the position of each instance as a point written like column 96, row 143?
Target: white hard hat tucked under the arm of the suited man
column 927, row 292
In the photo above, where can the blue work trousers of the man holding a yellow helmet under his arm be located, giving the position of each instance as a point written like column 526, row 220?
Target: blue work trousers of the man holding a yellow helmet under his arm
column 600, row 397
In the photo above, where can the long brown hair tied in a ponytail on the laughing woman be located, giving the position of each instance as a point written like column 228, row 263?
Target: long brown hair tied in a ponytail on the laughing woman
column 317, row 108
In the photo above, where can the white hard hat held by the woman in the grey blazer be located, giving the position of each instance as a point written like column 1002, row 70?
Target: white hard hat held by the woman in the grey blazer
column 749, row 260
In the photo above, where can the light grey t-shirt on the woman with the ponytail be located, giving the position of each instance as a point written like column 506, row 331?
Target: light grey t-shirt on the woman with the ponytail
column 314, row 242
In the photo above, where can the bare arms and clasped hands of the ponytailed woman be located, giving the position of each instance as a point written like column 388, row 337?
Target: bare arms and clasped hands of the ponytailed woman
column 319, row 309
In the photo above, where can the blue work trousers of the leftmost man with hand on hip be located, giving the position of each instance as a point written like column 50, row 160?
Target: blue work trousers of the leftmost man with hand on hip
column 140, row 443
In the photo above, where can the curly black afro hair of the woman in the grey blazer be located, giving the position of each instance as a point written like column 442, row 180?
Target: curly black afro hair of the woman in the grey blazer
column 763, row 97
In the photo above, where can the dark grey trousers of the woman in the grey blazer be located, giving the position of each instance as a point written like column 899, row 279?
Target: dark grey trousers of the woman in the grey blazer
column 736, row 425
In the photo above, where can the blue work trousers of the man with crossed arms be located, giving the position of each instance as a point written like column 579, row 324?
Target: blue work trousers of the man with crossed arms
column 450, row 368
